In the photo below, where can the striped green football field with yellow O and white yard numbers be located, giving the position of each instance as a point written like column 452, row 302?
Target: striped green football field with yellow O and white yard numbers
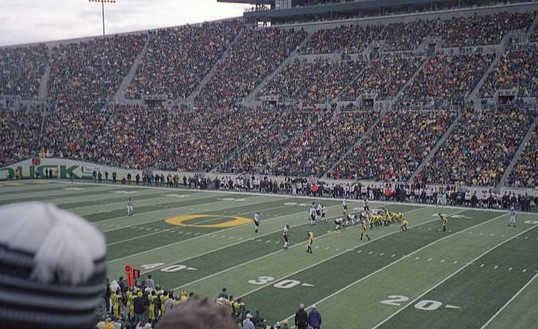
column 479, row 274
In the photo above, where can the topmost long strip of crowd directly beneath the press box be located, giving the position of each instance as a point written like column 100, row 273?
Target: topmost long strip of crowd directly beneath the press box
column 476, row 30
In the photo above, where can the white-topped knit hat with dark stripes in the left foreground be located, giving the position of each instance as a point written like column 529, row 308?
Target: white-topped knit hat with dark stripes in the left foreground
column 52, row 268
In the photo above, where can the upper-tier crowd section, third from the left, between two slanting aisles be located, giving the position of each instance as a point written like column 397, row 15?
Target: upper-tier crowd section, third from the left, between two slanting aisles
column 177, row 59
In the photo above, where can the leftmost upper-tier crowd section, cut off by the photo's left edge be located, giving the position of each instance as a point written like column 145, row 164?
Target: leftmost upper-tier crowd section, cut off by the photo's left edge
column 22, row 69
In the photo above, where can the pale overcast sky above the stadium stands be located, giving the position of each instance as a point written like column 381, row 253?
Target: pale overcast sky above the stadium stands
column 27, row 21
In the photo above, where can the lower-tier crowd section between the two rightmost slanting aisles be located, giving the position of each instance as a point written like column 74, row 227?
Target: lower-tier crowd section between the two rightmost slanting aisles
column 479, row 149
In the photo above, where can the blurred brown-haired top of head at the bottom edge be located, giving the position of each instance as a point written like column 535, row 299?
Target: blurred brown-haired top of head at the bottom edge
column 197, row 314
